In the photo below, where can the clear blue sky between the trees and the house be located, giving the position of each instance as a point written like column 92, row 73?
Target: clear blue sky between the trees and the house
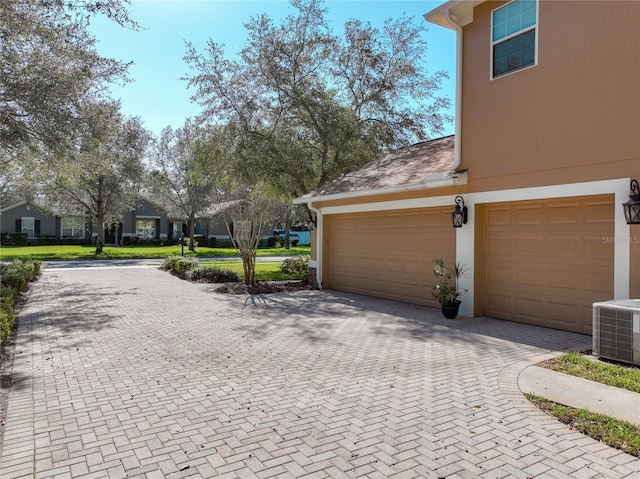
column 160, row 98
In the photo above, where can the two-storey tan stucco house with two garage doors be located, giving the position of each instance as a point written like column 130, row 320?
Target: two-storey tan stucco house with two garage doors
column 547, row 141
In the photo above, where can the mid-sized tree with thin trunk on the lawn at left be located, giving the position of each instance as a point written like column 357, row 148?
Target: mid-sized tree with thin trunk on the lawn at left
column 104, row 172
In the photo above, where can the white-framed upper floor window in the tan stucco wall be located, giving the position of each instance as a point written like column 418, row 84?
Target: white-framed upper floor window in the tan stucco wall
column 513, row 36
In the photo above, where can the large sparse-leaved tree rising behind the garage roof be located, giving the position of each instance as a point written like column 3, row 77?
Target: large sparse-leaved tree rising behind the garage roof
column 309, row 106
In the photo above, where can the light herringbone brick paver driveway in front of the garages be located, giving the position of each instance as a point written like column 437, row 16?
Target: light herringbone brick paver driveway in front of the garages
column 130, row 372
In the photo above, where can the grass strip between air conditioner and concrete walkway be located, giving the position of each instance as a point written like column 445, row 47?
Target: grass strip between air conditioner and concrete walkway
column 576, row 364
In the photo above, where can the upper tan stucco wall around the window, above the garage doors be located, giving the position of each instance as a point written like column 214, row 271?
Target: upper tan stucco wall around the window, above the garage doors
column 575, row 116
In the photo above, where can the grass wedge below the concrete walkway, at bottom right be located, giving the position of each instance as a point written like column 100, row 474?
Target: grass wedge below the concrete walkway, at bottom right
column 622, row 435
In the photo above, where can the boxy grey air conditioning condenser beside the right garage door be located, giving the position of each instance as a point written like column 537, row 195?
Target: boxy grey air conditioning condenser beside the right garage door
column 616, row 330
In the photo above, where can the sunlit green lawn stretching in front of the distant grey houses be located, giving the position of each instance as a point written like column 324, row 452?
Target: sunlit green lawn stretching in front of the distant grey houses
column 130, row 252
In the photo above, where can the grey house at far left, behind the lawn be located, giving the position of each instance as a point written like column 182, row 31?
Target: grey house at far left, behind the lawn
column 37, row 223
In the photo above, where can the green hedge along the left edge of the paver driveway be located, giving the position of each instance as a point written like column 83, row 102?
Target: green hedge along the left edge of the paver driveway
column 14, row 279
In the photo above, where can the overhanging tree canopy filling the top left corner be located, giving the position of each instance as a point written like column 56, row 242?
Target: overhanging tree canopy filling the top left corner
column 48, row 66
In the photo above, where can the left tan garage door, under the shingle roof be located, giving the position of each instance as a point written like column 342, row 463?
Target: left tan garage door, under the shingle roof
column 387, row 254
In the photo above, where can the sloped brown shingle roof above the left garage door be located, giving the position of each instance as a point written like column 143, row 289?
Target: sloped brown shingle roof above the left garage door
column 422, row 165
